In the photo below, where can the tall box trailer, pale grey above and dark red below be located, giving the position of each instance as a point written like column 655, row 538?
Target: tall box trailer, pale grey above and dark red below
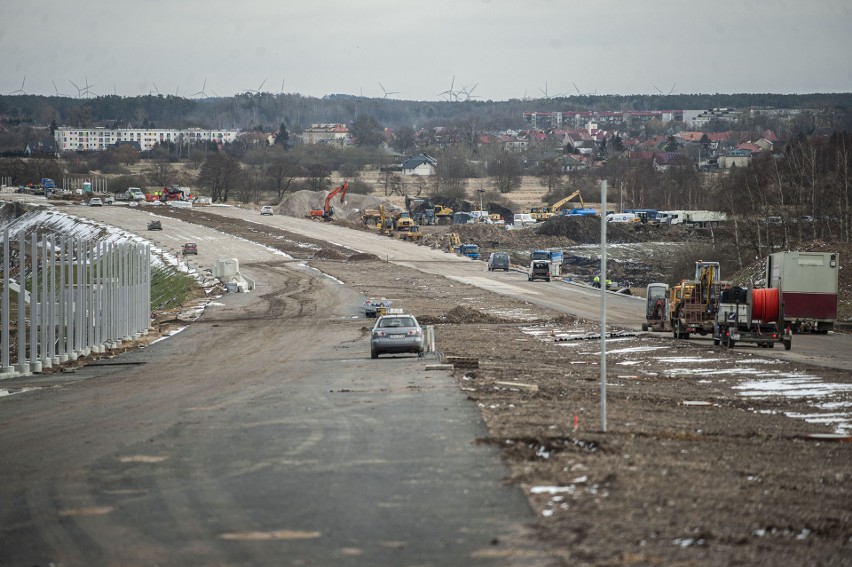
column 808, row 283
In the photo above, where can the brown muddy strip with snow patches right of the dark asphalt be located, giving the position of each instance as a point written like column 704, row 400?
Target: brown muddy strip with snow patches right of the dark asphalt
column 692, row 470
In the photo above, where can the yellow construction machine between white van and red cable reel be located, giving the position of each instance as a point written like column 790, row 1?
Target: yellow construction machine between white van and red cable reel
column 692, row 303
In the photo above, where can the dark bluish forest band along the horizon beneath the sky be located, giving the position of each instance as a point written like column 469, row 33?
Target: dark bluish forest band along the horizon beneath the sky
column 266, row 111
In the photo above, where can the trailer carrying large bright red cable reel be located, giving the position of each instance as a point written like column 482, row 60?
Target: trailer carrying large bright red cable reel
column 745, row 314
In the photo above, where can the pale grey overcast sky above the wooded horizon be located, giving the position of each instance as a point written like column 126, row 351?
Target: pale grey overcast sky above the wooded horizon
column 490, row 49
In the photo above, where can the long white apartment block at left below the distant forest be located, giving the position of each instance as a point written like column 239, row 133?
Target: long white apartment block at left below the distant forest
column 99, row 139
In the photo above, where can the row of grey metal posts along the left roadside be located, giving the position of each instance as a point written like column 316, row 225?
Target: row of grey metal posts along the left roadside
column 74, row 297
